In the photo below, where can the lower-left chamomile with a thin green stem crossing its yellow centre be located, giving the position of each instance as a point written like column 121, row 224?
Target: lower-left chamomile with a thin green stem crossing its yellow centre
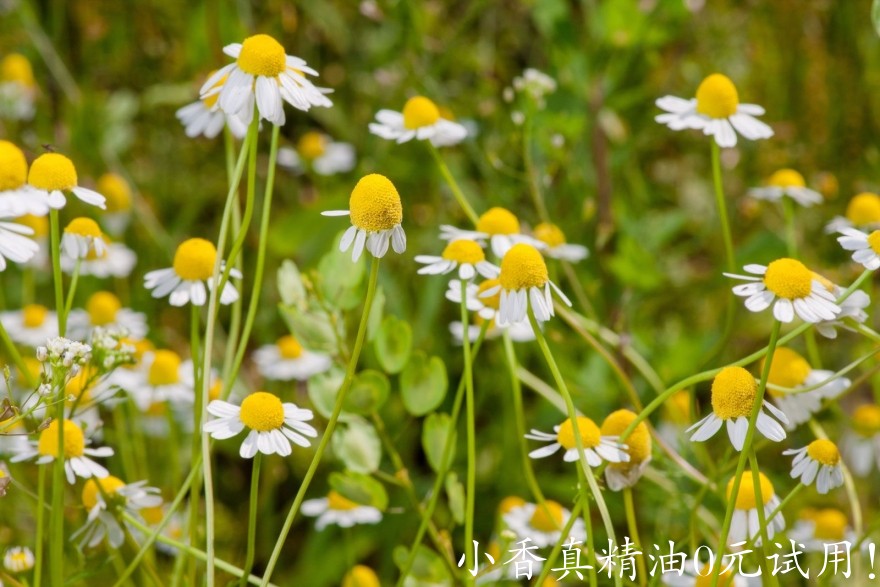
column 76, row 454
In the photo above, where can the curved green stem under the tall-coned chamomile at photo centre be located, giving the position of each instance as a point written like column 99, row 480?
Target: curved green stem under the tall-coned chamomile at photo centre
column 331, row 424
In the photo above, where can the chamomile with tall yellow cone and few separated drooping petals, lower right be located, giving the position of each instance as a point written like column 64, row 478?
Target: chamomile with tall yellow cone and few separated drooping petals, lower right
column 734, row 391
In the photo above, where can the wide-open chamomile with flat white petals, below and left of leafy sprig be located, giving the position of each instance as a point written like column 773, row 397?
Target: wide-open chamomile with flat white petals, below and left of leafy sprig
column 273, row 425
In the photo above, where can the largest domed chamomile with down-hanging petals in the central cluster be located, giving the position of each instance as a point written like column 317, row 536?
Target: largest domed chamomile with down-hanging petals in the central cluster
column 524, row 283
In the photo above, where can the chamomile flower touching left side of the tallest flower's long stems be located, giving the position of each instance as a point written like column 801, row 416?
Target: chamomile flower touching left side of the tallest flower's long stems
column 189, row 278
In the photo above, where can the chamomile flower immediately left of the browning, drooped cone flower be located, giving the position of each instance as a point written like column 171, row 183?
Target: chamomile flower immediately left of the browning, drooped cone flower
column 597, row 447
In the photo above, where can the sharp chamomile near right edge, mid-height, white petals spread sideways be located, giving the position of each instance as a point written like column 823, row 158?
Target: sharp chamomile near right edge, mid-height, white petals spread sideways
column 788, row 286
